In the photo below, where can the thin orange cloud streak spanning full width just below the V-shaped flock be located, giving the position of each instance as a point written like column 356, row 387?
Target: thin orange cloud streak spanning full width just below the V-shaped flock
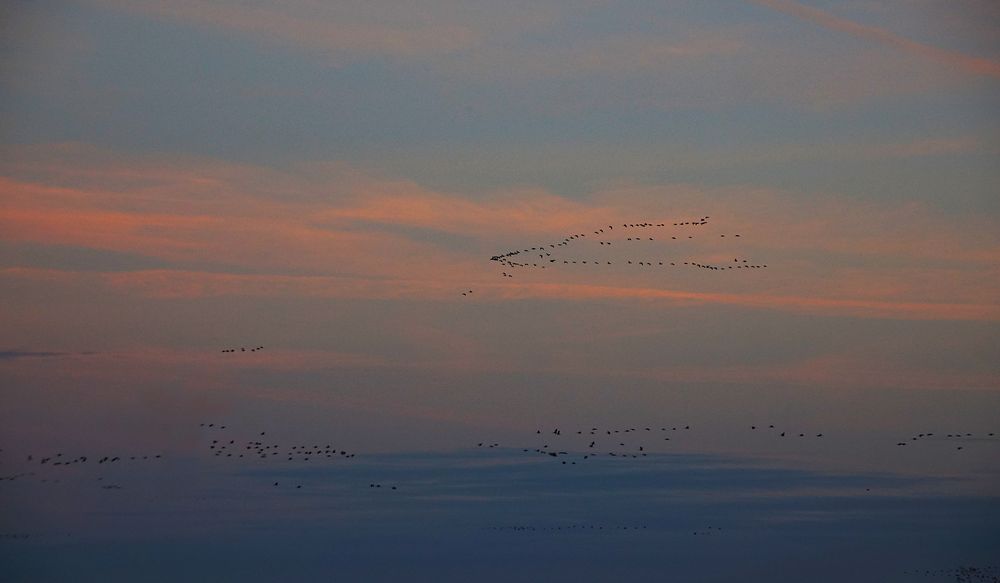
column 173, row 284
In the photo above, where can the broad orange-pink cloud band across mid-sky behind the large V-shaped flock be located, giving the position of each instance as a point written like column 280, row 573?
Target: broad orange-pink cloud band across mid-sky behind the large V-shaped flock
column 336, row 232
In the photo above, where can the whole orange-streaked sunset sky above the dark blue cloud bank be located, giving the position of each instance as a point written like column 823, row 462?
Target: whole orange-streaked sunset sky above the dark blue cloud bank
column 325, row 179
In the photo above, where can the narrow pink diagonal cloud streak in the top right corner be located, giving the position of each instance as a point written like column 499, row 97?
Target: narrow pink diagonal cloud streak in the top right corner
column 969, row 64
